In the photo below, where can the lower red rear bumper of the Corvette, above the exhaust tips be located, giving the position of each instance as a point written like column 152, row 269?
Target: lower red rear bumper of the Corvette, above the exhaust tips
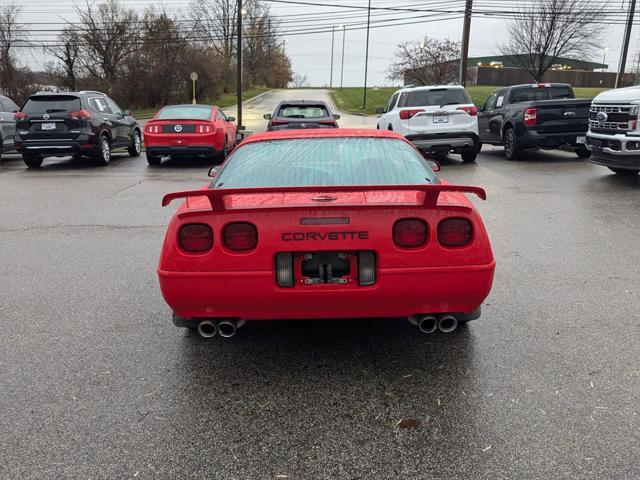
column 398, row 292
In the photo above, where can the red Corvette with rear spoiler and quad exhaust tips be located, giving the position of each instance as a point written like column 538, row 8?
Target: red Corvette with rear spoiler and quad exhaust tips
column 331, row 223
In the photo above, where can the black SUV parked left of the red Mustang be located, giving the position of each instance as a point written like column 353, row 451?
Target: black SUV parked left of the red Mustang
column 82, row 124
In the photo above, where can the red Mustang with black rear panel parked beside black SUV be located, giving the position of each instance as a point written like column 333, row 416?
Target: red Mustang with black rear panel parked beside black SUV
column 189, row 131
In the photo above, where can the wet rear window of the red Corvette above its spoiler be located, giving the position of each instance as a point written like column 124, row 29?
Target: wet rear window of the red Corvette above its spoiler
column 325, row 161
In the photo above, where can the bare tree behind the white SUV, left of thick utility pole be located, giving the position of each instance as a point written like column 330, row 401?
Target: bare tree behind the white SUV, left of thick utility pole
column 429, row 62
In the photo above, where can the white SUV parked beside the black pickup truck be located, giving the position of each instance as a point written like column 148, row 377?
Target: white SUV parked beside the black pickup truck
column 437, row 119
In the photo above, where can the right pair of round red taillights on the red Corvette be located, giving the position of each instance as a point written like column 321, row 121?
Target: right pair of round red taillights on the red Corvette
column 414, row 233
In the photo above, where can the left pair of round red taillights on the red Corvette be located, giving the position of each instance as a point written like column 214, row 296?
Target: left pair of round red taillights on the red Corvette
column 198, row 237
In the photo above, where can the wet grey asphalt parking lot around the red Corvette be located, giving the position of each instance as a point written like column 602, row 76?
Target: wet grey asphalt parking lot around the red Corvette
column 97, row 383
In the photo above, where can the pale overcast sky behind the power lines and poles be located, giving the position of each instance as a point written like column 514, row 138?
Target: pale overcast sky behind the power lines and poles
column 311, row 53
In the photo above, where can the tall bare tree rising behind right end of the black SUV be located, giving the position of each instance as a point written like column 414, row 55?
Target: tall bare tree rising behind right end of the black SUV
column 108, row 35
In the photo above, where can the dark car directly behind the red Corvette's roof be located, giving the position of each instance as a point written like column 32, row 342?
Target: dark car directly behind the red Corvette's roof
column 301, row 114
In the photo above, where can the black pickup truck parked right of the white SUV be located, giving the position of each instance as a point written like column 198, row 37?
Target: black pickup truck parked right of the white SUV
column 540, row 115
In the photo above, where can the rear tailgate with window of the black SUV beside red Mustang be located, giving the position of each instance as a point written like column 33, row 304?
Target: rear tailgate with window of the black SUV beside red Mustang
column 49, row 116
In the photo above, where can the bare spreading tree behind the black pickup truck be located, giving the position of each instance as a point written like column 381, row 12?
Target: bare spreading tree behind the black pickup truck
column 546, row 30
